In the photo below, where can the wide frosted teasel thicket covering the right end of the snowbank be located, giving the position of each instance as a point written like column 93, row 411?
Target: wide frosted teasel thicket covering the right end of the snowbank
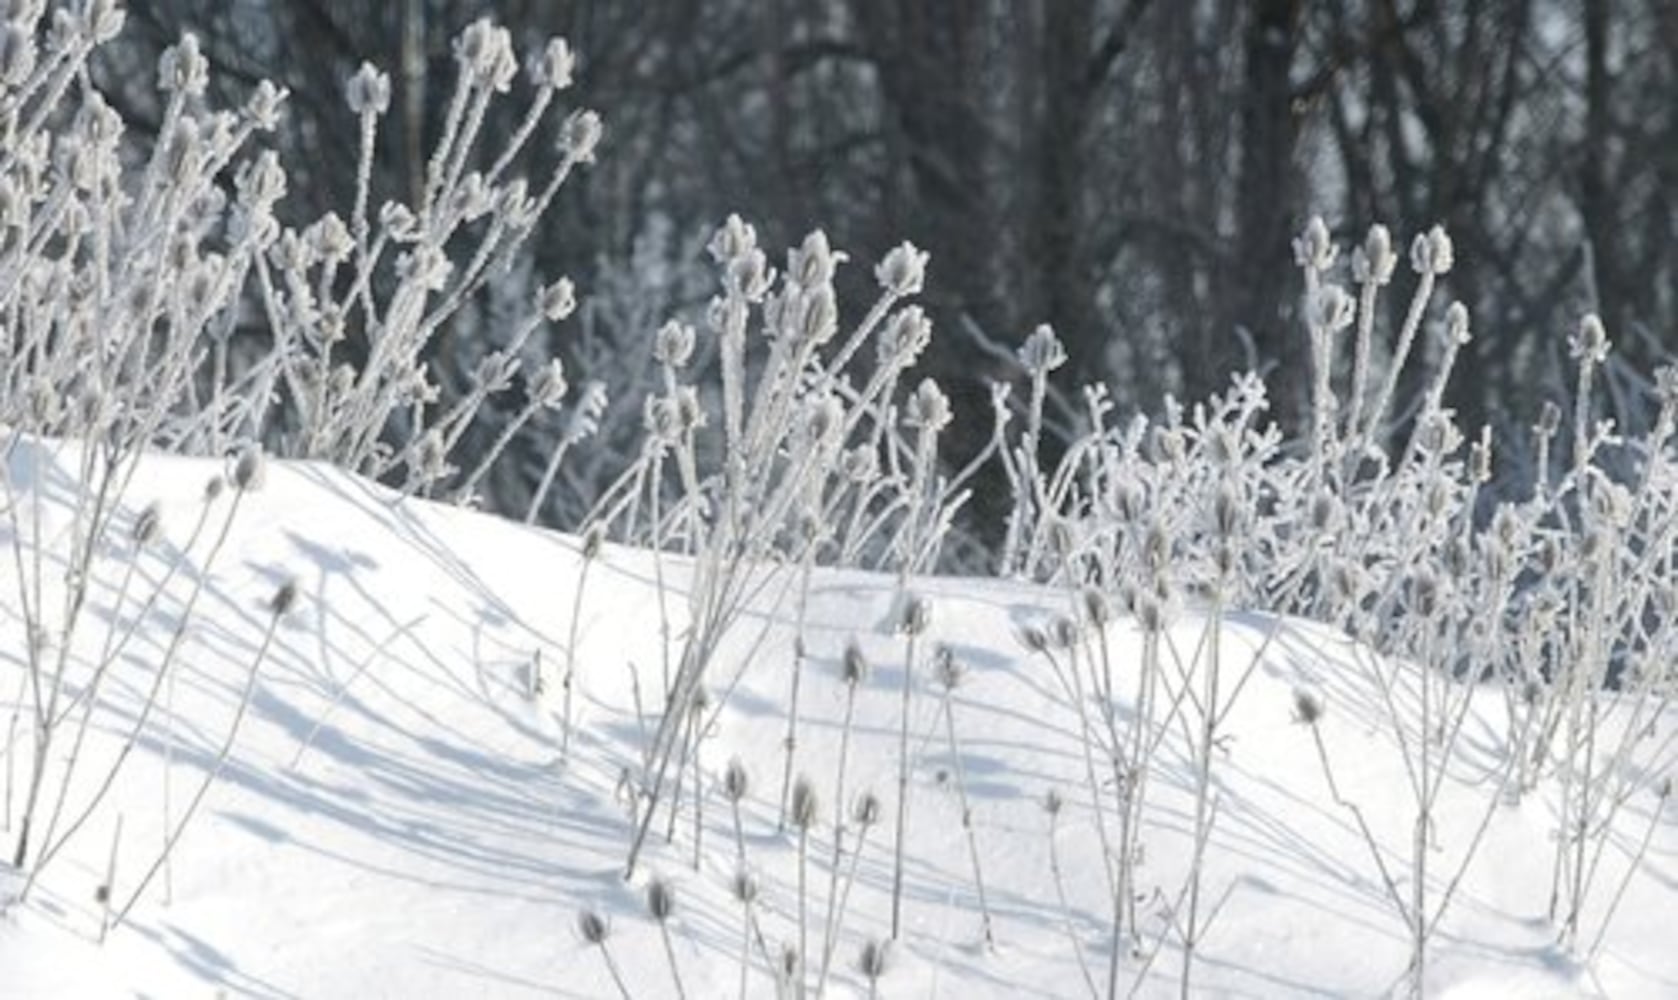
column 1377, row 519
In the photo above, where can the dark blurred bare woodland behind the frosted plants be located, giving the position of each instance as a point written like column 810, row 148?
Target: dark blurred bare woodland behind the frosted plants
column 1125, row 170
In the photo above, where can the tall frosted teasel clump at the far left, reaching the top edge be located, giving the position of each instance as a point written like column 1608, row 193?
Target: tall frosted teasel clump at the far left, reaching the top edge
column 125, row 283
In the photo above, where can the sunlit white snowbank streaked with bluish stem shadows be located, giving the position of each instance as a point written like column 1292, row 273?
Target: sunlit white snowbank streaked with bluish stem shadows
column 393, row 820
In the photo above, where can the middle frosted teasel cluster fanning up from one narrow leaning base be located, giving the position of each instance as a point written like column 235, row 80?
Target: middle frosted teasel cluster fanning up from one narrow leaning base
column 795, row 449
